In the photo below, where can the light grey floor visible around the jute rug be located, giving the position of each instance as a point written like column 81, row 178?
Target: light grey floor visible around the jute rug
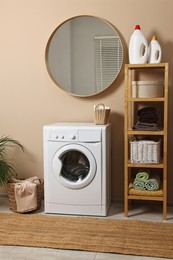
column 149, row 213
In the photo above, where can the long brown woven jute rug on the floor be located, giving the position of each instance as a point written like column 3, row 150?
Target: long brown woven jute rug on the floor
column 91, row 234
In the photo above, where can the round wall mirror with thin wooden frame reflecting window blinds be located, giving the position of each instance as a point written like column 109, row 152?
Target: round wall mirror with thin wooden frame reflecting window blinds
column 84, row 55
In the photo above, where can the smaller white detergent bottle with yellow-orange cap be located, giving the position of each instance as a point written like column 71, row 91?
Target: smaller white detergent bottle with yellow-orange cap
column 154, row 51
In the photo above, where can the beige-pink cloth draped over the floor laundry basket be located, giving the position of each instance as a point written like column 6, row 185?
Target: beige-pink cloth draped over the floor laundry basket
column 26, row 194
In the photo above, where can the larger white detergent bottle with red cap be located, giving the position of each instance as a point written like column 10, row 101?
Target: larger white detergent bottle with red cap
column 138, row 47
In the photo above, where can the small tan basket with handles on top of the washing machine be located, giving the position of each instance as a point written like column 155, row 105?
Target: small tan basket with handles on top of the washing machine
column 101, row 114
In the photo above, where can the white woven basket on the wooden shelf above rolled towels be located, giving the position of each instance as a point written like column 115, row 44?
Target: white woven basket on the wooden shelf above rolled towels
column 145, row 151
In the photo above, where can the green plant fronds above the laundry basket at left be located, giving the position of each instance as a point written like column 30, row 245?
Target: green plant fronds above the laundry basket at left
column 6, row 168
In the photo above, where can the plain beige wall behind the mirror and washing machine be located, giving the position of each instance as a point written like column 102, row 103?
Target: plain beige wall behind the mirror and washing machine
column 29, row 99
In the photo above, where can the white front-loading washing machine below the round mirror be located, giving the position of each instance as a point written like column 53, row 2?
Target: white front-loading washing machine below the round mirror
column 77, row 168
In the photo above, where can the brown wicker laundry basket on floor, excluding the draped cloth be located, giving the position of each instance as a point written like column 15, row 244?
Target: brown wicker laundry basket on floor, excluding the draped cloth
column 12, row 200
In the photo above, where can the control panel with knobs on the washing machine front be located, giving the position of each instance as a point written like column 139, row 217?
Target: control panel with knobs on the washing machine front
column 63, row 135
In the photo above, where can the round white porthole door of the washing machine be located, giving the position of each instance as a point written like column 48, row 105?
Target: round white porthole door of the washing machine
column 74, row 166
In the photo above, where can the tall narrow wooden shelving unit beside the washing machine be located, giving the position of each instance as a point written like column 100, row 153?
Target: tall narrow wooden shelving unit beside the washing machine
column 149, row 72
